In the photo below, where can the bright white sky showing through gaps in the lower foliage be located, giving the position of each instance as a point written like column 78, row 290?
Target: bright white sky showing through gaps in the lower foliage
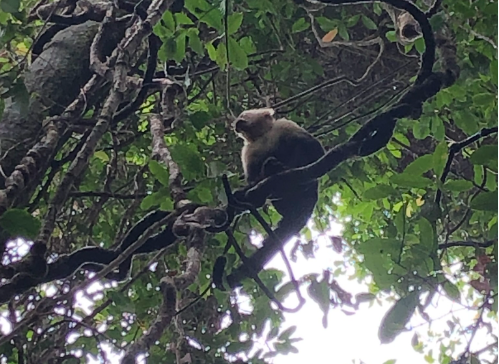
column 348, row 338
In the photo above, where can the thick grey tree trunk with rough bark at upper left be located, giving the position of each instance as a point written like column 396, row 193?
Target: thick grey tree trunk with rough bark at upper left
column 53, row 80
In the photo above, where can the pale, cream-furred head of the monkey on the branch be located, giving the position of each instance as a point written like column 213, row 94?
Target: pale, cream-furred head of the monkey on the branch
column 252, row 124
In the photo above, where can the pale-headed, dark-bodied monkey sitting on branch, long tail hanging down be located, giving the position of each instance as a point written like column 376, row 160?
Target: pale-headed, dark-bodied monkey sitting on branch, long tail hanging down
column 272, row 146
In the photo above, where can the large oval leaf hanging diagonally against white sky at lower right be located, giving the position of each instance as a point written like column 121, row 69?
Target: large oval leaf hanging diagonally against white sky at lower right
column 394, row 321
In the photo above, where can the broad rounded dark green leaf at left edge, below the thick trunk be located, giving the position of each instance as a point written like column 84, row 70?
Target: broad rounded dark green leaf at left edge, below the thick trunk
column 19, row 222
